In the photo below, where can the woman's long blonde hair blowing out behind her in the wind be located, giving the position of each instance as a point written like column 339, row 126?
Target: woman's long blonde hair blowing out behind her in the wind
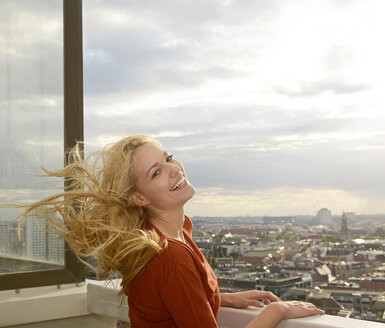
column 94, row 213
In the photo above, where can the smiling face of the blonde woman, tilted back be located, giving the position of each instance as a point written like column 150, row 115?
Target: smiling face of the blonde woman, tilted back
column 161, row 181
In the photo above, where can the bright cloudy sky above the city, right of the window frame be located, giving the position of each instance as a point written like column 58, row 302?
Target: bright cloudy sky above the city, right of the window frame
column 274, row 107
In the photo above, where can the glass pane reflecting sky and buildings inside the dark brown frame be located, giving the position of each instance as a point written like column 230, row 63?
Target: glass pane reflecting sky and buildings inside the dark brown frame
column 31, row 112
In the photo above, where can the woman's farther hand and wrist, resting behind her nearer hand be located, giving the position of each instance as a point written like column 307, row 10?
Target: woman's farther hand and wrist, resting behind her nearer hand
column 248, row 298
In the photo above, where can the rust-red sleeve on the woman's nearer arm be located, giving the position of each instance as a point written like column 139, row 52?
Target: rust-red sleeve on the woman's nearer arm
column 186, row 300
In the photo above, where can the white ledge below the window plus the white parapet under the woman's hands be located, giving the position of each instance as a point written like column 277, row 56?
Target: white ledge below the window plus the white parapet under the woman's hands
column 49, row 303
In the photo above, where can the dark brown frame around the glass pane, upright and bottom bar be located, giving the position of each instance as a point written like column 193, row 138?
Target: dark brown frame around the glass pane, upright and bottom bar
column 73, row 271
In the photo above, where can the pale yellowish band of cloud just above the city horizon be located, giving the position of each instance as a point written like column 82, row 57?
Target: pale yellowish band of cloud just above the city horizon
column 279, row 201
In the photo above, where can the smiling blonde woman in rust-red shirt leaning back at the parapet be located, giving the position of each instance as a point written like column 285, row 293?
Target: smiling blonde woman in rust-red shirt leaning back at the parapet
column 125, row 208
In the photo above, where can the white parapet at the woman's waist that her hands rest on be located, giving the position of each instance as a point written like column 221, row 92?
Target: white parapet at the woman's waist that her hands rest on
column 103, row 299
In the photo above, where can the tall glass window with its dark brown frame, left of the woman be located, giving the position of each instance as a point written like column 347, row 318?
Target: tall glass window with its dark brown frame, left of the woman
column 41, row 114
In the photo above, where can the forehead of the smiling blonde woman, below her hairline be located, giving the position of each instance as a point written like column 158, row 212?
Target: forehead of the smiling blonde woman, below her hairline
column 144, row 157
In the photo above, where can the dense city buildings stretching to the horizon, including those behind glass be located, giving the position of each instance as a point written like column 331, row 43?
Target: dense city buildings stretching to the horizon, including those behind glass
column 336, row 262
